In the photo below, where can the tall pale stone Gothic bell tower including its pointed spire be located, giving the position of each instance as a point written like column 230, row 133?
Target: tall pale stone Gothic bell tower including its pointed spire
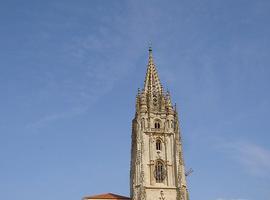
column 157, row 166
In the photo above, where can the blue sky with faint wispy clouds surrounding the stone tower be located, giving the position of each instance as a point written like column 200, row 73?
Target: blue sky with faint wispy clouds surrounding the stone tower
column 69, row 73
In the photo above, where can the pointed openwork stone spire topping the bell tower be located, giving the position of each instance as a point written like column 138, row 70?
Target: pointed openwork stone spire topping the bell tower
column 152, row 83
